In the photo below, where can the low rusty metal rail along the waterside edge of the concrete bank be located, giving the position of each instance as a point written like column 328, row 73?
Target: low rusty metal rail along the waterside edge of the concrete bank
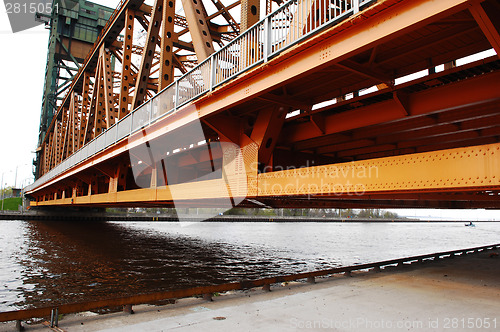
column 25, row 314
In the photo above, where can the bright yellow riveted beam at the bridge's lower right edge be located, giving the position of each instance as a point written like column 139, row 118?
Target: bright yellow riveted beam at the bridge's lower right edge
column 459, row 169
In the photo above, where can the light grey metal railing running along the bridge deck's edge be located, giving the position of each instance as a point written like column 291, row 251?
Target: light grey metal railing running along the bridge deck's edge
column 293, row 22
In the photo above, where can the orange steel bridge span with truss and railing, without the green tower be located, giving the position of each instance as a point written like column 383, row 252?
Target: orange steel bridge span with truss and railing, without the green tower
column 305, row 103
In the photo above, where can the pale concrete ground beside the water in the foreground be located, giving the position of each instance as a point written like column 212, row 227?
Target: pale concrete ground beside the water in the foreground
column 459, row 294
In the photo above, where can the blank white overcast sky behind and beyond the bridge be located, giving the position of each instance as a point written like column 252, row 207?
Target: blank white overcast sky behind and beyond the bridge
column 22, row 70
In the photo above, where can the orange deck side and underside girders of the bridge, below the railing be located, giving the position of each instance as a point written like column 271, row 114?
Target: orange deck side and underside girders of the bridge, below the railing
column 431, row 142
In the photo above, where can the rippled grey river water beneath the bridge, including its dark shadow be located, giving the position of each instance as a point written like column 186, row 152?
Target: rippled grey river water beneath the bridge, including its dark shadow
column 44, row 263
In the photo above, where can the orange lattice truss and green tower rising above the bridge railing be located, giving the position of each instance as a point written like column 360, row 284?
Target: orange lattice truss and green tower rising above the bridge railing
column 152, row 43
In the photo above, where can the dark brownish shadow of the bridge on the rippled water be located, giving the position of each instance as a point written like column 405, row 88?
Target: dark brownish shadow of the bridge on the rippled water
column 67, row 262
